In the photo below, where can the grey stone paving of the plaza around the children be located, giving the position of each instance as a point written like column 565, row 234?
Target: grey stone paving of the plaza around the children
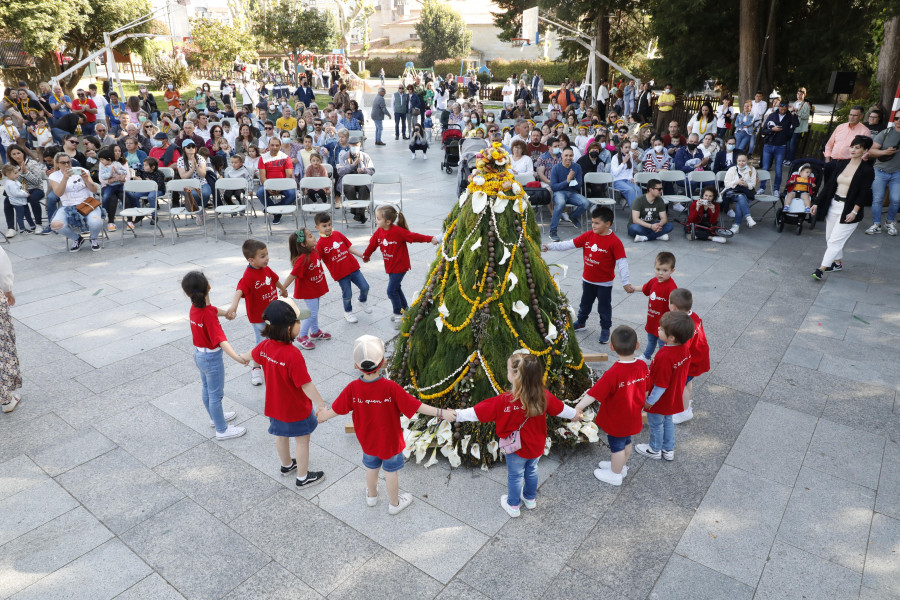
column 785, row 485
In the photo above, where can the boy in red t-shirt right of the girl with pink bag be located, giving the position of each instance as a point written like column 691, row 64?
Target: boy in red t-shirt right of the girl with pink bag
column 621, row 392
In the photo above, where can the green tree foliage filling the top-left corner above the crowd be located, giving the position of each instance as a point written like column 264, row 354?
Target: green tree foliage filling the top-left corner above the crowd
column 76, row 26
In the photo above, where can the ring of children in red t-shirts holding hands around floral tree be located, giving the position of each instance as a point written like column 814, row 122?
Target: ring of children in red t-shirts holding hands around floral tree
column 659, row 385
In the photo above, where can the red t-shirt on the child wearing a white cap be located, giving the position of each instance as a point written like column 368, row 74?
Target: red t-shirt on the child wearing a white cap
column 377, row 406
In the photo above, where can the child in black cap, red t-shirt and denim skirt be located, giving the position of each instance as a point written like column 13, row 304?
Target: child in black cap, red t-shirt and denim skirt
column 290, row 393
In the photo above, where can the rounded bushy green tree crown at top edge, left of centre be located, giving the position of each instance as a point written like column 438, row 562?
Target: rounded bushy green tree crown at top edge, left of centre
column 286, row 24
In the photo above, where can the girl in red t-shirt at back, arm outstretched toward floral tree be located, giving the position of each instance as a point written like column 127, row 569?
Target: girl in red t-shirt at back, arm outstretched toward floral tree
column 391, row 237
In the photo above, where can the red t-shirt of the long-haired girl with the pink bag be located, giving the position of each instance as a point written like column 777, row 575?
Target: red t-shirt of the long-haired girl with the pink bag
column 508, row 414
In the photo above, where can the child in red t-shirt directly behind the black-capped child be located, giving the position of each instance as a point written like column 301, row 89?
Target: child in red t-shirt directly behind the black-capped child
column 258, row 287
